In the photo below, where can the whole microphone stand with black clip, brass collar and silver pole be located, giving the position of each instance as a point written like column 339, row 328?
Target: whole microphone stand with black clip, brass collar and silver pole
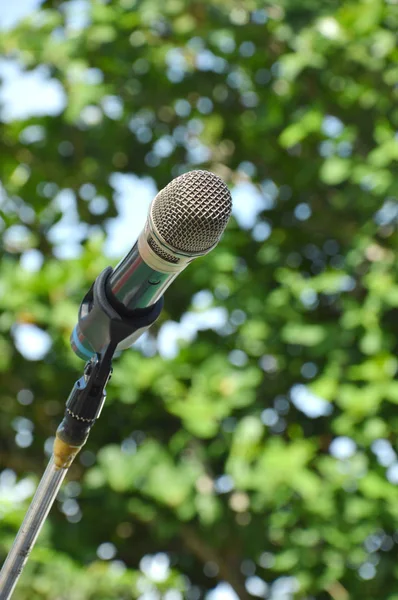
column 83, row 407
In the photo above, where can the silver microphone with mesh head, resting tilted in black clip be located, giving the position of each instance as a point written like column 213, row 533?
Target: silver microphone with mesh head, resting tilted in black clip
column 186, row 220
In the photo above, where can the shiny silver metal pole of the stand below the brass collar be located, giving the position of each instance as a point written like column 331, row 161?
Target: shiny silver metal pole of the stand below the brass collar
column 30, row 528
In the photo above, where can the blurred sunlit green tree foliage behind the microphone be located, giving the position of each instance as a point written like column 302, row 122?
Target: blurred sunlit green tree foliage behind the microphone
column 264, row 451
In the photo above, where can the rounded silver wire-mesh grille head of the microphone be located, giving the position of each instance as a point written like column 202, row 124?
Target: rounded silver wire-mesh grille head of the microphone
column 192, row 211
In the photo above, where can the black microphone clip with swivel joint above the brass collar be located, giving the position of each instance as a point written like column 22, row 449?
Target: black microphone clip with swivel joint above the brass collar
column 107, row 328
